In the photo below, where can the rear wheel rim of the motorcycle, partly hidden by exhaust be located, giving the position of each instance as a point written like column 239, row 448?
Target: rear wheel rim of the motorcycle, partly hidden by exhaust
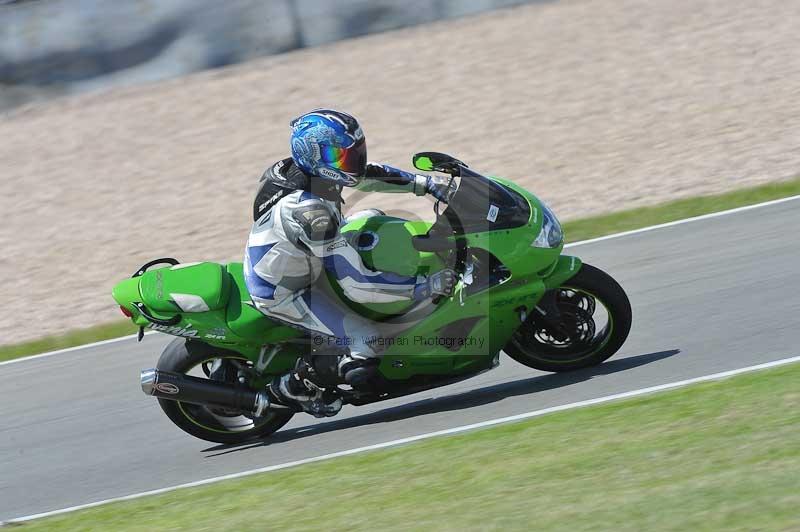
column 217, row 419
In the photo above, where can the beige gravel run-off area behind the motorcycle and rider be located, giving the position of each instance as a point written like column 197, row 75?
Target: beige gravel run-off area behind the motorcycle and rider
column 594, row 105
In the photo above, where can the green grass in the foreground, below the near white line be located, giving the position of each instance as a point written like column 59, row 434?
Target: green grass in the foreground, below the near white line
column 716, row 456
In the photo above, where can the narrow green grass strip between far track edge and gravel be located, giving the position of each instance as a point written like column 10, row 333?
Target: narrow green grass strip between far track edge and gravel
column 575, row 230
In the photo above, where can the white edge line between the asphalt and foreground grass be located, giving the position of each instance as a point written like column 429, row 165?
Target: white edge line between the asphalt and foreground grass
column 401, row 441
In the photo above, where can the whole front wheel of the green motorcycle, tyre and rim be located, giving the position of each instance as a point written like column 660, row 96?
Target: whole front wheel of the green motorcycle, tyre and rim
column 593, row 320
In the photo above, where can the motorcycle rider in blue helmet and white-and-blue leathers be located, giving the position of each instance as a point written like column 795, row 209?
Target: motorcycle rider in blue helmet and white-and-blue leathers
column 295, row 236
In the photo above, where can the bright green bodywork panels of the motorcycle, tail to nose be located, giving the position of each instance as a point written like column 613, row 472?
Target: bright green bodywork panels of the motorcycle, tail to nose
column 482, row 320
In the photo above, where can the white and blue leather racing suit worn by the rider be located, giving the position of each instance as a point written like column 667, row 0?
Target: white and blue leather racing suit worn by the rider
column 296, row 236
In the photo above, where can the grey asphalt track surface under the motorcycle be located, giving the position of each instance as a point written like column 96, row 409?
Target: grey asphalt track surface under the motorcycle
column 708, row 296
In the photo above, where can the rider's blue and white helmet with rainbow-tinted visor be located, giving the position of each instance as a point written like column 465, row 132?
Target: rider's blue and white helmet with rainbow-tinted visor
column 330, row 145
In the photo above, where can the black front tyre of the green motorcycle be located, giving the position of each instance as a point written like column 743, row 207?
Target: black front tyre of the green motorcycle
column 590, row 283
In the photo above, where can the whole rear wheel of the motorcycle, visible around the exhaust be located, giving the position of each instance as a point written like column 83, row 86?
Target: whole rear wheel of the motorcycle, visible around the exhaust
column 221, row 425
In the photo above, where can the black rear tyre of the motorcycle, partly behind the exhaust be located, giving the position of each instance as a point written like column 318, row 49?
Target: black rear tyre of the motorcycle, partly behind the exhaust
column 181, row 356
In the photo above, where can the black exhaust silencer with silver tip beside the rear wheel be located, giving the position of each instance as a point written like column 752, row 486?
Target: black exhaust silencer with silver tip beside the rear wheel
column 188, row 389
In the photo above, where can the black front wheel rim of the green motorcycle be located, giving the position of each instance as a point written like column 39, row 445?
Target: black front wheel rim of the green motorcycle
column 587, row 326
